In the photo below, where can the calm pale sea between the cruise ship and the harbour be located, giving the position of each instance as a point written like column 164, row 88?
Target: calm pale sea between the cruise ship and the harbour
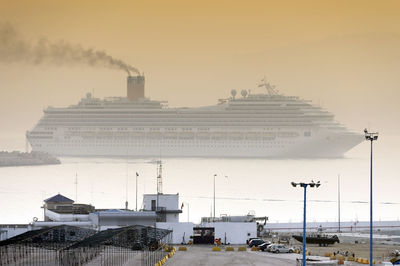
column 242, row 185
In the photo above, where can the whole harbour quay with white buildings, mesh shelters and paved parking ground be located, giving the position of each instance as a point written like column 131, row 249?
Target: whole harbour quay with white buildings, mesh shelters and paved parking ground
column 79, row 233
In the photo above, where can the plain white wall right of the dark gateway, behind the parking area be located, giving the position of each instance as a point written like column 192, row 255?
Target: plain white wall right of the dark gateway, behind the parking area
column 233, row 233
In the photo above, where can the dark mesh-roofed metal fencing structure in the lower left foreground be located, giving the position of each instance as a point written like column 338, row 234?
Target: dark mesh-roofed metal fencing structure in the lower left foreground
column 72, row 246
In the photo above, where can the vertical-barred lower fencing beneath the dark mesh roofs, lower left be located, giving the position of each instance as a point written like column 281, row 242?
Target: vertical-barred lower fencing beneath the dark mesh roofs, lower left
column 22, row 255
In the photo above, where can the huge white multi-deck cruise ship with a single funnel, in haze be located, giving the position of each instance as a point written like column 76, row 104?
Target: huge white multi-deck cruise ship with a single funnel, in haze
column 263, row 125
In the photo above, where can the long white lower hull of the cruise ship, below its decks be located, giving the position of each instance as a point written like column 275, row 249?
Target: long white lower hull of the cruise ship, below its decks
column 324, row 145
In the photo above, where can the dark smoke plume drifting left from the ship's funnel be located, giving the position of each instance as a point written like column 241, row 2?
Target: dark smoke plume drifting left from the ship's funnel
column 14, row 48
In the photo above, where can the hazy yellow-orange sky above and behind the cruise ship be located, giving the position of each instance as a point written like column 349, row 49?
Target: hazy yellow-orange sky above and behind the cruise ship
column 342, row 54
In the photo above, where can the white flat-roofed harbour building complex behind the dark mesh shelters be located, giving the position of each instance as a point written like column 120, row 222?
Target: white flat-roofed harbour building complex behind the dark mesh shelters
column 159, row 210
